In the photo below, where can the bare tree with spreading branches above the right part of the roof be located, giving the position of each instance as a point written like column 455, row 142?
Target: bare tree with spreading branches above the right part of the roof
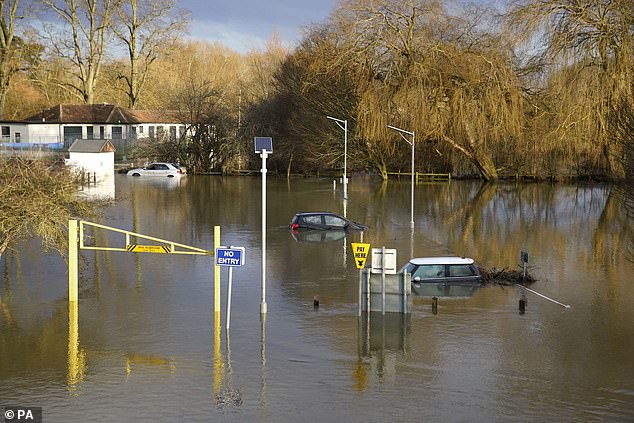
column 148, row 28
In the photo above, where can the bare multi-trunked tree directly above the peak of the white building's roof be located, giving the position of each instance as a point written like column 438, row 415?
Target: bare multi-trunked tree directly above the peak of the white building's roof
column 86, row 26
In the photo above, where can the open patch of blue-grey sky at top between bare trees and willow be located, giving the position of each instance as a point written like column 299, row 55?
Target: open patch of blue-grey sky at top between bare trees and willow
column 246, row 24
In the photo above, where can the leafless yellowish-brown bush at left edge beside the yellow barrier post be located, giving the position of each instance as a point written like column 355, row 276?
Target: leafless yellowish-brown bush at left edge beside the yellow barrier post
column 37, row 198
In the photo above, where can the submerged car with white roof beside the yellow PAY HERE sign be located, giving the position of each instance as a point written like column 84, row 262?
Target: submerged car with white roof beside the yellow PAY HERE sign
column 443, row 276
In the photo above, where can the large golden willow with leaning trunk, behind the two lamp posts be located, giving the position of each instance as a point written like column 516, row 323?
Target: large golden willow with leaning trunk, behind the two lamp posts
column 433, row 73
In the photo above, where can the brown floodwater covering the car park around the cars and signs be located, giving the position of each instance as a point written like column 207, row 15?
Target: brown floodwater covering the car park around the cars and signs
column 144, row 343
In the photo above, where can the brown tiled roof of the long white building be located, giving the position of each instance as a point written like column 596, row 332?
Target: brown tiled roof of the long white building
column 101, row 113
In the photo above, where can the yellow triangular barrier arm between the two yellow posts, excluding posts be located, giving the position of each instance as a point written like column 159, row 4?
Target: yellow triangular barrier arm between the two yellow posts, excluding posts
column 171, row 249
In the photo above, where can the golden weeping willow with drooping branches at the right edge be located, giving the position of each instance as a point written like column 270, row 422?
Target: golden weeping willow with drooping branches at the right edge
column 586, row 46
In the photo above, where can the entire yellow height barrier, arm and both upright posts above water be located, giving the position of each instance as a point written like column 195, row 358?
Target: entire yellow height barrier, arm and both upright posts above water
column 76, row 236
